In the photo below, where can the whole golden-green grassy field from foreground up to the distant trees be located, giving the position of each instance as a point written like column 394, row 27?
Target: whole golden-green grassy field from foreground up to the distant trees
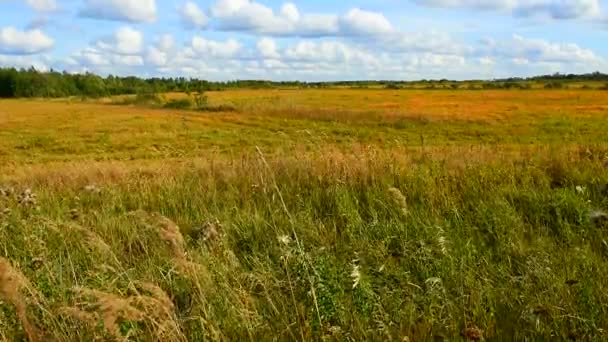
column 333, row 214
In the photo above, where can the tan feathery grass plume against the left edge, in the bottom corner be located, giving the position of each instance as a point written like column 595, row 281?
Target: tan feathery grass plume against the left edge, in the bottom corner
column 12, row 284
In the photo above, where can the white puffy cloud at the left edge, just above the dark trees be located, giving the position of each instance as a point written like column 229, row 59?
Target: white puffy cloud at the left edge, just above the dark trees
column 14, row 41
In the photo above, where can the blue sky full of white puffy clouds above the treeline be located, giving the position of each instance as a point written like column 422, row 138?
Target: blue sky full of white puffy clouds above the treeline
column 311, row 40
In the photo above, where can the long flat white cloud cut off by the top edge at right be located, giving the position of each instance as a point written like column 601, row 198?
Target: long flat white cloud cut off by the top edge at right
column 556, row 9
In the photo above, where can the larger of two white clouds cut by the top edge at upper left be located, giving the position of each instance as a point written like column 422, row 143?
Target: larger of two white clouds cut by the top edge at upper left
column 121, row 10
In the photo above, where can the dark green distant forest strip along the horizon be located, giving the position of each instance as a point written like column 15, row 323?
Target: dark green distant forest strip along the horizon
column 32, row 83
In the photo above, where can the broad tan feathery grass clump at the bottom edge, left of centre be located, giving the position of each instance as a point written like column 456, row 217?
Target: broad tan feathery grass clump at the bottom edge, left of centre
column 156, row 309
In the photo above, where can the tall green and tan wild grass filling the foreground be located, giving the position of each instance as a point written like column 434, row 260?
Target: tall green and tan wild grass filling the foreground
column 374, row 246
